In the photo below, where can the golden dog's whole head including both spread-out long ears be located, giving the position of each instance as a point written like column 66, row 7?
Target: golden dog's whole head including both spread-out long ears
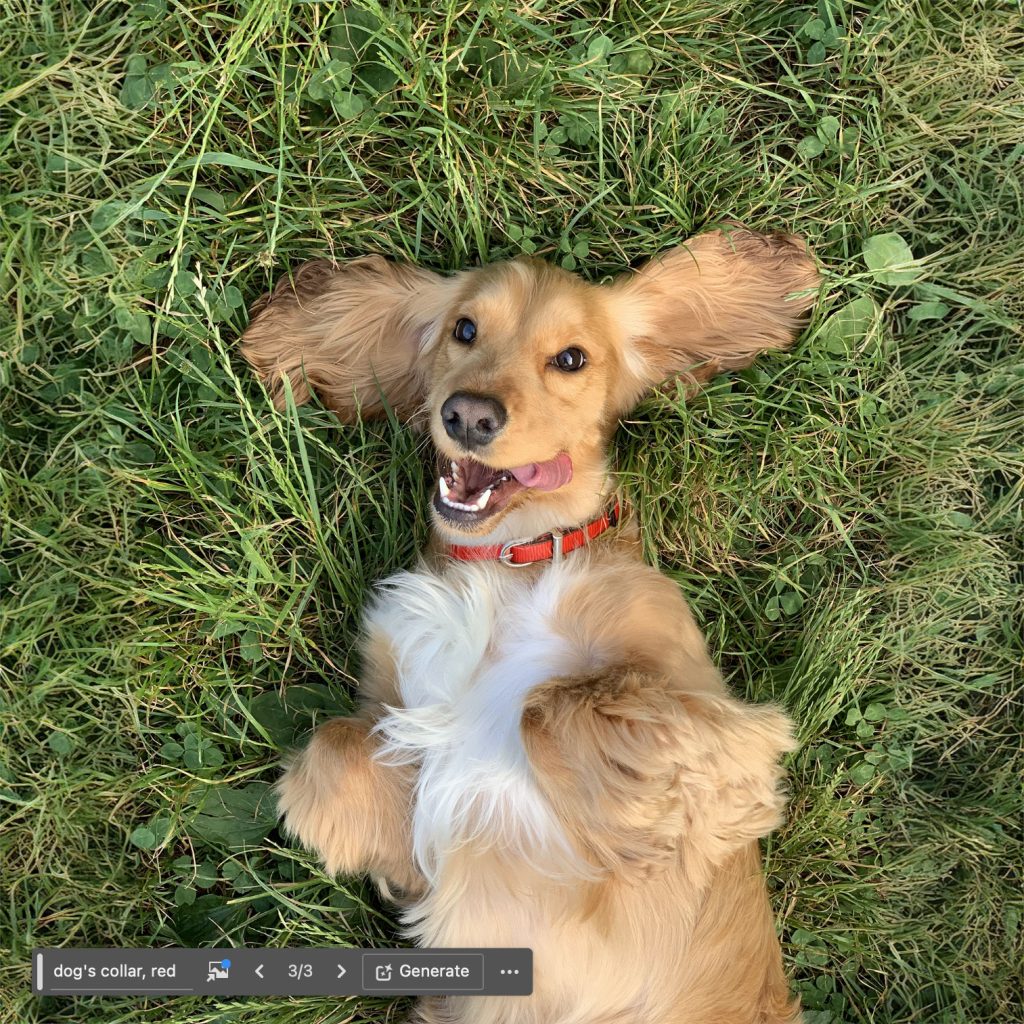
column 521, row 370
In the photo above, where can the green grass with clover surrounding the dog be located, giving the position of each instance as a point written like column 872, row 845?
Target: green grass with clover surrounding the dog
column 846, row 521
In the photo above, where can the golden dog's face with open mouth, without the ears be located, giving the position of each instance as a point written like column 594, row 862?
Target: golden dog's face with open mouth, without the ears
column 521, row 393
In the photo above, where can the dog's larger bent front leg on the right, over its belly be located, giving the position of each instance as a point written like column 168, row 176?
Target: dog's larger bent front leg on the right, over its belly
column 637, row 769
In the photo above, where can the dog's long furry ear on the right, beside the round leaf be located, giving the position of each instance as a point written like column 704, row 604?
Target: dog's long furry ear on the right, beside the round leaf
column 709, row 306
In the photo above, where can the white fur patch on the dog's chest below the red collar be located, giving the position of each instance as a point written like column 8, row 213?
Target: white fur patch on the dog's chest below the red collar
column 468, row 648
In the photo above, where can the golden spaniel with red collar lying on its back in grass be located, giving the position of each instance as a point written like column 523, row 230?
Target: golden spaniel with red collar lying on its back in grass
column 545, row 754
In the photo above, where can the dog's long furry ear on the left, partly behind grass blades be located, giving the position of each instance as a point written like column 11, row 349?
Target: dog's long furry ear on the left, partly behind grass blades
column 357, row 333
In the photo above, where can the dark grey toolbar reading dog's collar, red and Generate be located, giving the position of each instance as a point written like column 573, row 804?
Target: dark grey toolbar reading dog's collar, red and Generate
column 282, row 972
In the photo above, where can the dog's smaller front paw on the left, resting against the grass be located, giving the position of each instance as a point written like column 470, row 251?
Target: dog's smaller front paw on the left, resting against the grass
column 350, row 808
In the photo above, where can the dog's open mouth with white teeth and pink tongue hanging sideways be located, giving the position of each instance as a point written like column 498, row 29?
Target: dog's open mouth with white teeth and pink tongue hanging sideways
column 470, row 493
